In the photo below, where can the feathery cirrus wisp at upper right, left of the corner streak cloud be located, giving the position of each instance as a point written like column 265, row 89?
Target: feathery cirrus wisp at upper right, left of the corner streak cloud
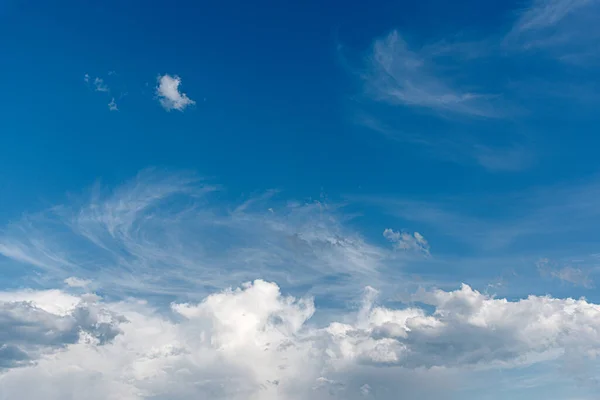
column 418, row 79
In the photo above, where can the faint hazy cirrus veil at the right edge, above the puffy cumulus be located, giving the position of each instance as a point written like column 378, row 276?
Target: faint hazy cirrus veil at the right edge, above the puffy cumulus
column 564, row 215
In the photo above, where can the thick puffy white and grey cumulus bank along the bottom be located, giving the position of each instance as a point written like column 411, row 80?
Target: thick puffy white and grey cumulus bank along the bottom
column 253, row 342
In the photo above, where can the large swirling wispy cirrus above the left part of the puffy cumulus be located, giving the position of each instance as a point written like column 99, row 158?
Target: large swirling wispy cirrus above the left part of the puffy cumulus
column 169, row 234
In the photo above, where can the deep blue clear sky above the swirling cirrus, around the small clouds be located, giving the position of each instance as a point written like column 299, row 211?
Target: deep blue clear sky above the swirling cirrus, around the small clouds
column 274, row 98
